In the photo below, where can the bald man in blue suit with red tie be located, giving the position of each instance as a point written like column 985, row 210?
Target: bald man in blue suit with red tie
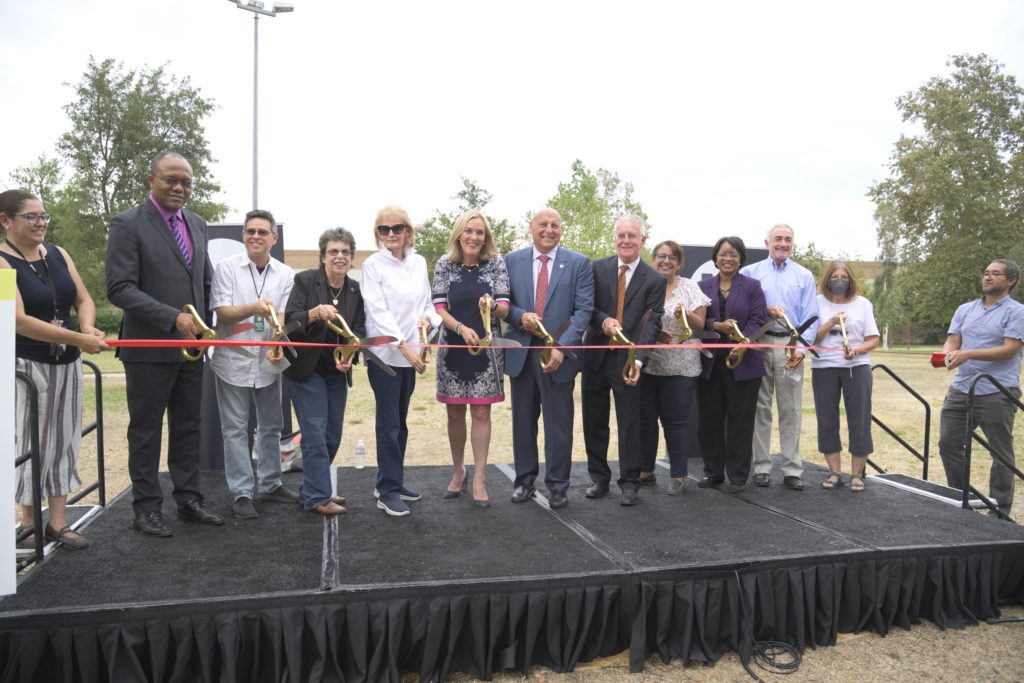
column 554, row 286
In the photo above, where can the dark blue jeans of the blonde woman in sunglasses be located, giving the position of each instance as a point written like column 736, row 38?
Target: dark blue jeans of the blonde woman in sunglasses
column 393, row 395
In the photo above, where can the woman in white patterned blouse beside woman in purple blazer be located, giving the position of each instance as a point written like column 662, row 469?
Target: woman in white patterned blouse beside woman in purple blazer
column 671, row 376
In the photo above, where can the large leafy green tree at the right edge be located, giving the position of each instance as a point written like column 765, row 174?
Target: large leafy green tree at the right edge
column 955, row 199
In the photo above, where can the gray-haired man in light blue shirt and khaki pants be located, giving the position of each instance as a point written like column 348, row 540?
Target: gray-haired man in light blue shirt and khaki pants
column 790, row 291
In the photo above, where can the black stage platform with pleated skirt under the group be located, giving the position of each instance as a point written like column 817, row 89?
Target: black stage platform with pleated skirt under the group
column 293, row 597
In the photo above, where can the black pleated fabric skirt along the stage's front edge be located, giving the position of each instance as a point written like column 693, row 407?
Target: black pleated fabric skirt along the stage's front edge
column 351, row 637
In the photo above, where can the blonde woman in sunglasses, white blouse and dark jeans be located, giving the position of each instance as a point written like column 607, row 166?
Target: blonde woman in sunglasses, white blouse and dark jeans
column 397, row 297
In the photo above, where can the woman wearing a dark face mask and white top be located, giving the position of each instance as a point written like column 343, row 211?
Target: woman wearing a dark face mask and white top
column 844, row 368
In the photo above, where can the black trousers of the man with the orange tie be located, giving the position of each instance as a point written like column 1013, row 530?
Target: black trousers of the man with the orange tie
column 596, row 414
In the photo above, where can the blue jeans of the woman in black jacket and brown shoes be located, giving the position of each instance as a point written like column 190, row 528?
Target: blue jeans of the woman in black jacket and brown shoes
column 320, row 407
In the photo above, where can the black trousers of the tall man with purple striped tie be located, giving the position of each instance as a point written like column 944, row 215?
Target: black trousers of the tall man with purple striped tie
column 153, row 389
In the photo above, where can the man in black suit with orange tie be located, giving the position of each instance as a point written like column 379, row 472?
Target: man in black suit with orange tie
column 629, row 295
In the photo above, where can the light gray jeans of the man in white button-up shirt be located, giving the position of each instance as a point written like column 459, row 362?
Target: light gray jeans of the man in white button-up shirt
column 234, row 404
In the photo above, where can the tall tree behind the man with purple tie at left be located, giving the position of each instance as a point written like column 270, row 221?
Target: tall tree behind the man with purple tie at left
column 120, row 120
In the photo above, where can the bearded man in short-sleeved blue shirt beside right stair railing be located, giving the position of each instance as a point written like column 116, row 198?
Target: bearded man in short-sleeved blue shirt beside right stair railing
column 987, row 336
